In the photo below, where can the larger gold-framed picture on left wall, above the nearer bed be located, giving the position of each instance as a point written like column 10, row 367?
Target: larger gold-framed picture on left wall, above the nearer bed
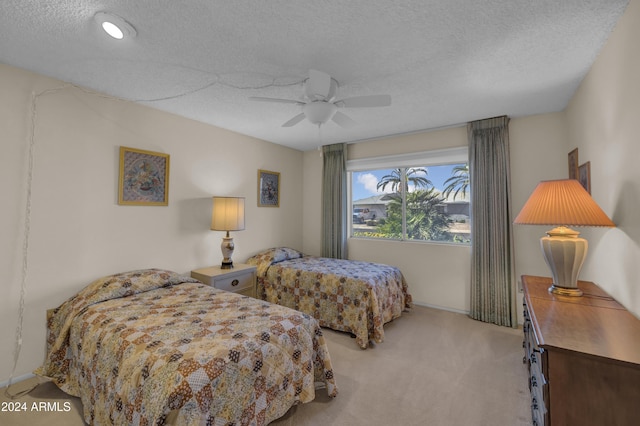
column 144, row 178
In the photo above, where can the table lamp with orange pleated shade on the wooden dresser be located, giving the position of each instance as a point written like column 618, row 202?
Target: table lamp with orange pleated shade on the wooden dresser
column 565, row 203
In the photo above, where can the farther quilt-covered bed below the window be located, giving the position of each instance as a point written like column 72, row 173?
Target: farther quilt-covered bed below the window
column 345, row 295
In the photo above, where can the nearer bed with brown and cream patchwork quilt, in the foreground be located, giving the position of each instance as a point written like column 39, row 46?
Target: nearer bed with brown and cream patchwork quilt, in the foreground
column 152, row 347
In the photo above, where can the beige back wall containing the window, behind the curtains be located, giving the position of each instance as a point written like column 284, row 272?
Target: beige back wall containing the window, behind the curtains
column 439, row 274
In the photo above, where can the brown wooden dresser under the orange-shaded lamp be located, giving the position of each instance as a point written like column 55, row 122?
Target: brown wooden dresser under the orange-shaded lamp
column 583, row 355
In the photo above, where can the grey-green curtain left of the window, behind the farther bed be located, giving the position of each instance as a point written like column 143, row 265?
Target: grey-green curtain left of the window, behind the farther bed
column 334, row 201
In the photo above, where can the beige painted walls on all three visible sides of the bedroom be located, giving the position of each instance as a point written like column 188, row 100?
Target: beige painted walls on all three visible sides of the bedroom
column 78, row 232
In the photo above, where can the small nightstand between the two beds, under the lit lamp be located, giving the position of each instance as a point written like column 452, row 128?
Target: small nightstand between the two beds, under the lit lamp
column 240, row 279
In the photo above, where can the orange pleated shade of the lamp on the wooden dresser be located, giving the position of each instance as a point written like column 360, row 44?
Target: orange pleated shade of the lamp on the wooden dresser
column 562, row 202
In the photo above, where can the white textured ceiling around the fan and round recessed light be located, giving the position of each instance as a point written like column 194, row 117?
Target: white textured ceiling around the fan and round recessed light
column 444, row 62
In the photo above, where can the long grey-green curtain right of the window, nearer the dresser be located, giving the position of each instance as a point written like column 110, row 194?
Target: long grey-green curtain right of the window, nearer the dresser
column 493, row 291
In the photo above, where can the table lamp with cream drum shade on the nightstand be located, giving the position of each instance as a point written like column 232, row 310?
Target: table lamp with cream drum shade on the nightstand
column 227, row 215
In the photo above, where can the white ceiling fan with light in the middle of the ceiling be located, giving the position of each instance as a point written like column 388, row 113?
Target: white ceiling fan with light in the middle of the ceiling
column 319, row 103
